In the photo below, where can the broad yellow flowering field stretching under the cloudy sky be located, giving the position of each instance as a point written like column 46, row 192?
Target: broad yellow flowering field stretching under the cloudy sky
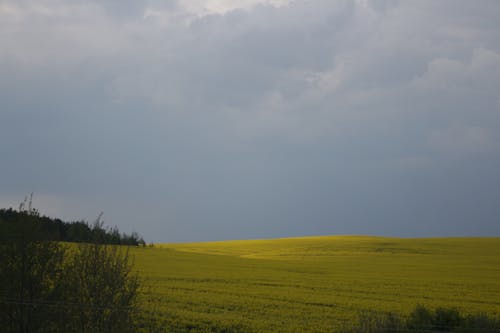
column 316, row 283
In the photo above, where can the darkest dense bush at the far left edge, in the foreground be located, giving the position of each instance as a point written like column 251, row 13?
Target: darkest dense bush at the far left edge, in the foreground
column 30, row 275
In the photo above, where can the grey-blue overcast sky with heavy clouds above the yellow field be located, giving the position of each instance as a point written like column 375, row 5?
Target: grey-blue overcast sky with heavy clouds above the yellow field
column 199, row 120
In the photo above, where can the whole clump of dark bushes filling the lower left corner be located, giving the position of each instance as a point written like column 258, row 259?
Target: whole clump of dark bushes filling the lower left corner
column 46, row 286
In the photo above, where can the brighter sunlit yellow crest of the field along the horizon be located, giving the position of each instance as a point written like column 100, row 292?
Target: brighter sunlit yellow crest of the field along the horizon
column 332, row 246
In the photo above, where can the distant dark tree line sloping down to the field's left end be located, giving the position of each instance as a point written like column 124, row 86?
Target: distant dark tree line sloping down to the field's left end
column 57, row 230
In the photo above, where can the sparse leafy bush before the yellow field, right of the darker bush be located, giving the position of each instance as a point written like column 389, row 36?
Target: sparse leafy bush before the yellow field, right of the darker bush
column 104, row 291
